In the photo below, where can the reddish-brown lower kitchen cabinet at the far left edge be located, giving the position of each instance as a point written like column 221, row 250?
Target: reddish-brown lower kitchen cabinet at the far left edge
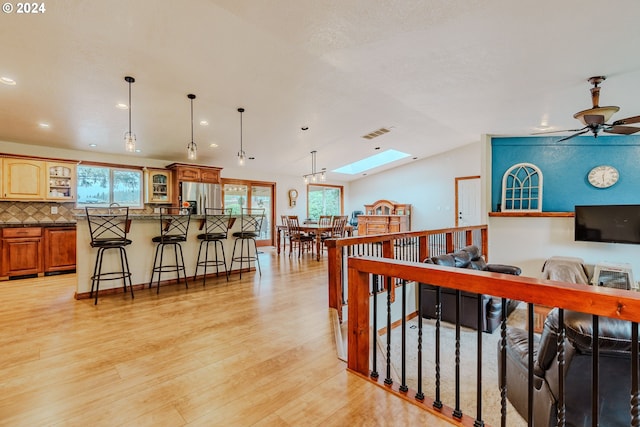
column 21, row 251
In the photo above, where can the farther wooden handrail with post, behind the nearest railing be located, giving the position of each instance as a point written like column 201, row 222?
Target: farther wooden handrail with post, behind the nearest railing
column 336, row 247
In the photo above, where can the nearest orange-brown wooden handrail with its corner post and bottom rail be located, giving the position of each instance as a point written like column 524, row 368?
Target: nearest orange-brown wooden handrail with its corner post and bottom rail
column 595, row 300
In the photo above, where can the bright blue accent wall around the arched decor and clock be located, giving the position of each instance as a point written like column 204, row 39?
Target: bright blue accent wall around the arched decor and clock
column 565, row 165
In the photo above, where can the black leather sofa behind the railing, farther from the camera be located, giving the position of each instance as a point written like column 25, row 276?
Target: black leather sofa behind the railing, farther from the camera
column 467, row 257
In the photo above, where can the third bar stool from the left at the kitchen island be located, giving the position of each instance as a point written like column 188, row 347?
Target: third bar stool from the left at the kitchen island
column 216, row 225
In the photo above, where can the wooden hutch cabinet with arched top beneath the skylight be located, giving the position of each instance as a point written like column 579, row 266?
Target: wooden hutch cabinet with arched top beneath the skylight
column 384, row 216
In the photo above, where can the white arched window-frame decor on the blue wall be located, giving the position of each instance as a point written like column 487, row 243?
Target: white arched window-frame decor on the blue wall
column 522, row 188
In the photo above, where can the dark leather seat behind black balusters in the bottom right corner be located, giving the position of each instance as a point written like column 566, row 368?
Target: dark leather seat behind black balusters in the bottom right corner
column 614, row 366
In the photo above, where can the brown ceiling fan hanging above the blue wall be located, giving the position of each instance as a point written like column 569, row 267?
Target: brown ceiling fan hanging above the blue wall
column 595, row 118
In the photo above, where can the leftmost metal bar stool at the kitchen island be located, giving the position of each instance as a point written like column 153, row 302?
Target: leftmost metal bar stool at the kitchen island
column 108, row 228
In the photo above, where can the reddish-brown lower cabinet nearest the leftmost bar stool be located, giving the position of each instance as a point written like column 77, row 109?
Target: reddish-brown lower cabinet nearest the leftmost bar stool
column 59, row 249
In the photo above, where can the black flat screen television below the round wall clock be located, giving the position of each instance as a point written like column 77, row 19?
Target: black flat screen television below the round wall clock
column 608, row 223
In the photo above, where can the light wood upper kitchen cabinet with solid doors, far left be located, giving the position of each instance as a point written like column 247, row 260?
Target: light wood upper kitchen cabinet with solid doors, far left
column 23, row 179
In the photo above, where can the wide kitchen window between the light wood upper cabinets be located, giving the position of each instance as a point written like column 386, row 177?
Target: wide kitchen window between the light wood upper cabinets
column 102, row 186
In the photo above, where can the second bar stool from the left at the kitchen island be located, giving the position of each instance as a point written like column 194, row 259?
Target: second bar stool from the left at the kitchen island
column 174, row 225
